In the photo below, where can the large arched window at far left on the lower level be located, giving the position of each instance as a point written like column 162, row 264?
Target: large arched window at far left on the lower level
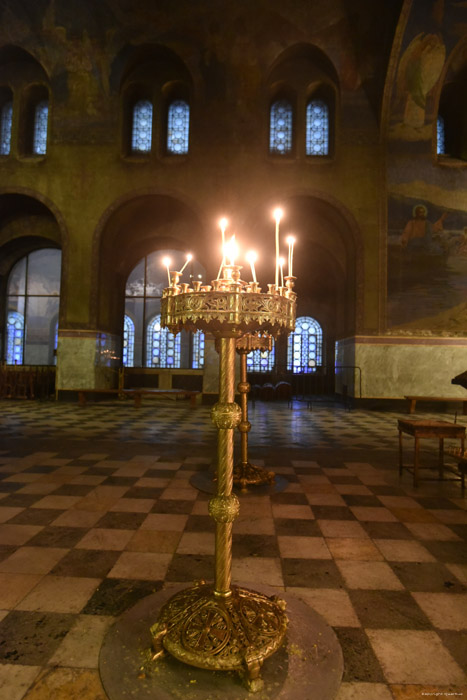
column 33, row 299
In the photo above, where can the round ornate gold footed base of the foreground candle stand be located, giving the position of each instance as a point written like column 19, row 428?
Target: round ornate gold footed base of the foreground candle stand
column 234, row 632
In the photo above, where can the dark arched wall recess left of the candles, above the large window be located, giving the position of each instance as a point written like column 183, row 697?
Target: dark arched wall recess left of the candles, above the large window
column 132, row 229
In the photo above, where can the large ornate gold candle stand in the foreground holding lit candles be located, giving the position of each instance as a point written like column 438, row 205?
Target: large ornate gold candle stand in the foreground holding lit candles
column 222, row 626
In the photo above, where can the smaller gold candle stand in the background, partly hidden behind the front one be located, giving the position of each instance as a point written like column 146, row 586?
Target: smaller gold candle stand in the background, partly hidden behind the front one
column 246, row 474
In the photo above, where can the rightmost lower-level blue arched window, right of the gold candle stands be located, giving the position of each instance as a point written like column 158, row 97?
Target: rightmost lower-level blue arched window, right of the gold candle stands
column 304, row 346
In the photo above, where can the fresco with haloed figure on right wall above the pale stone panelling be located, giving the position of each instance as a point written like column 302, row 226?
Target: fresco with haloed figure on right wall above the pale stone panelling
column 427, row 262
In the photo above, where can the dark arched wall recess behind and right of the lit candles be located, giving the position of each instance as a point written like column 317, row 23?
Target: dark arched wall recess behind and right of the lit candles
column 327, row 260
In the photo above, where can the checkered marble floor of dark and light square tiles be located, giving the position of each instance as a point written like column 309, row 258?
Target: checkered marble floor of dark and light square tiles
column 97, row 511
